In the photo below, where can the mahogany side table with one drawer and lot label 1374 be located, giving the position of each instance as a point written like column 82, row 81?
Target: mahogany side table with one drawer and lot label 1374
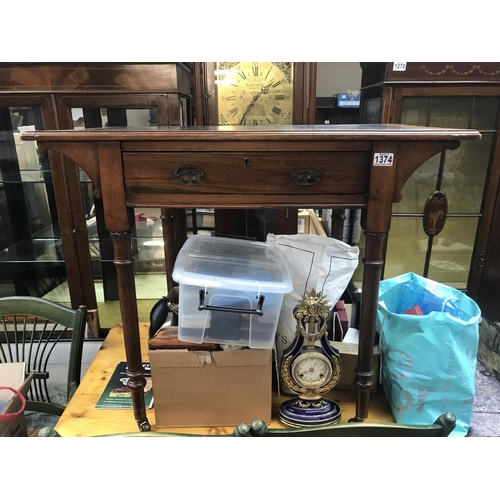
column 314, row 166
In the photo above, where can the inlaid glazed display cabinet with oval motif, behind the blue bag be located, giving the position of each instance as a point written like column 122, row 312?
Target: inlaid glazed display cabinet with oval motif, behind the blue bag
column 445, row 226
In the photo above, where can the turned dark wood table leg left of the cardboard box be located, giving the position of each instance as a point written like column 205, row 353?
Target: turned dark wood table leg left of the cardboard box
column 124, row 264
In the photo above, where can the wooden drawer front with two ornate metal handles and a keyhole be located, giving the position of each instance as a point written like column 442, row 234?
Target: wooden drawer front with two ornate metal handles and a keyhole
column 239, row 173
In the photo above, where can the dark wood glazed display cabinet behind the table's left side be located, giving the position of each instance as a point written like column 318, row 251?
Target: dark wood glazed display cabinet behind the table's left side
column 66, row 254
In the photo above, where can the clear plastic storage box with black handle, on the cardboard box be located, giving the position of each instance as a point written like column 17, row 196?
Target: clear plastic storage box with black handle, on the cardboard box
column 230, row 290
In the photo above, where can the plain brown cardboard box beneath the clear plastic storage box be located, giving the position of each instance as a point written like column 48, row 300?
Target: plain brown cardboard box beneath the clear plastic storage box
column 218, row 388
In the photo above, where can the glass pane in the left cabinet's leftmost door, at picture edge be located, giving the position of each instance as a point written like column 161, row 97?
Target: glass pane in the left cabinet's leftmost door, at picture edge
column 31, row 256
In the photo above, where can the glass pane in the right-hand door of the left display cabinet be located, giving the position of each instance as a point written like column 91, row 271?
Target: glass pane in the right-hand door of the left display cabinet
column 147, row 237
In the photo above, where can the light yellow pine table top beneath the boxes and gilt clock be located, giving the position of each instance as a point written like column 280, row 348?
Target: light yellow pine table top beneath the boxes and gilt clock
column 82, row 419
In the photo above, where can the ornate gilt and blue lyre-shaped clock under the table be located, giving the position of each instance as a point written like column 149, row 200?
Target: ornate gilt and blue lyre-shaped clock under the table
column 310, row 366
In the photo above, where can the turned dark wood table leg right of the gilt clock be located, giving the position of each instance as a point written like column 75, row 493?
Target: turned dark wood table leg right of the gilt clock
column 372, row 268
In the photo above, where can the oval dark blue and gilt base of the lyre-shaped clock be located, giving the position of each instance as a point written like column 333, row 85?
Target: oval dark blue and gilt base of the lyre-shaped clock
column 302, row 413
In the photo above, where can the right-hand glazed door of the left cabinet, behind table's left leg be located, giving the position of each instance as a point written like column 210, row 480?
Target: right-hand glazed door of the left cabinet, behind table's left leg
column 84, row 111
